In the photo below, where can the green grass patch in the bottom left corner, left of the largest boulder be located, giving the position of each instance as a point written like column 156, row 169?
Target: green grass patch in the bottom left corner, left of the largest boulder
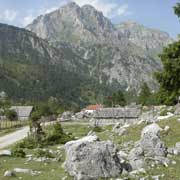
column 49, row 171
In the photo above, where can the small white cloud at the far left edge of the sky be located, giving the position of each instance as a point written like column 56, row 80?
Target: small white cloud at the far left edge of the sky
column 8, row 15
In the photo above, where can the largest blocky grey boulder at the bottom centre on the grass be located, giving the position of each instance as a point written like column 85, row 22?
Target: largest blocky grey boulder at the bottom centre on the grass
column 90, row 159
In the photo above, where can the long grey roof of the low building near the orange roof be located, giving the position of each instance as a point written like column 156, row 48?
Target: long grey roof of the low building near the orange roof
column 117, row 113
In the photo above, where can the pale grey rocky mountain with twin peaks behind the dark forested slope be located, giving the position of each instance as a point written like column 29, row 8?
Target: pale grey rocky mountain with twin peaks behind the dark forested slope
column 122, row 56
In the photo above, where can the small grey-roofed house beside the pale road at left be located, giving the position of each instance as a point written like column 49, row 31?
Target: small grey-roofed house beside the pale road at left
column 23, row 112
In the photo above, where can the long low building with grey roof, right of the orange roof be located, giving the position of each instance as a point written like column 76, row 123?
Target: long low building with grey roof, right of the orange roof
column 108, row 116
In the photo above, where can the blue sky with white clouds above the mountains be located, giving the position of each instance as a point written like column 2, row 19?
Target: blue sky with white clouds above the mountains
column 156, row 14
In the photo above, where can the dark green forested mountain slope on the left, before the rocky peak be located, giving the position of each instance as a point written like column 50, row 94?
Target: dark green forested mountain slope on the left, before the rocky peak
column 31, row 69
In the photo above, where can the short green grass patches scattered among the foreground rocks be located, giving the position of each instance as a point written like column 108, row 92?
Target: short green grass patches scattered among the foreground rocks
column 55, row 171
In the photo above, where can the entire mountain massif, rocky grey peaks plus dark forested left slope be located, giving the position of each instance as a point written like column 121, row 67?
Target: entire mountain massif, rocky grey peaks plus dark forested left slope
column 77, row 55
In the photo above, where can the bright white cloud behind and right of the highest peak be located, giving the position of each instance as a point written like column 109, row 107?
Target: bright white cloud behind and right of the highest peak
column 109, row 8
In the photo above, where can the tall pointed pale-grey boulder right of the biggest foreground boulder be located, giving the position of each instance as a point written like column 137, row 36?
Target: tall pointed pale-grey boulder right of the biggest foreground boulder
column 150, row 147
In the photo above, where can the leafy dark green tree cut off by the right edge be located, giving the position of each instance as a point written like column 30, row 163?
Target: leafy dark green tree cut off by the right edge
column 169, row 78
